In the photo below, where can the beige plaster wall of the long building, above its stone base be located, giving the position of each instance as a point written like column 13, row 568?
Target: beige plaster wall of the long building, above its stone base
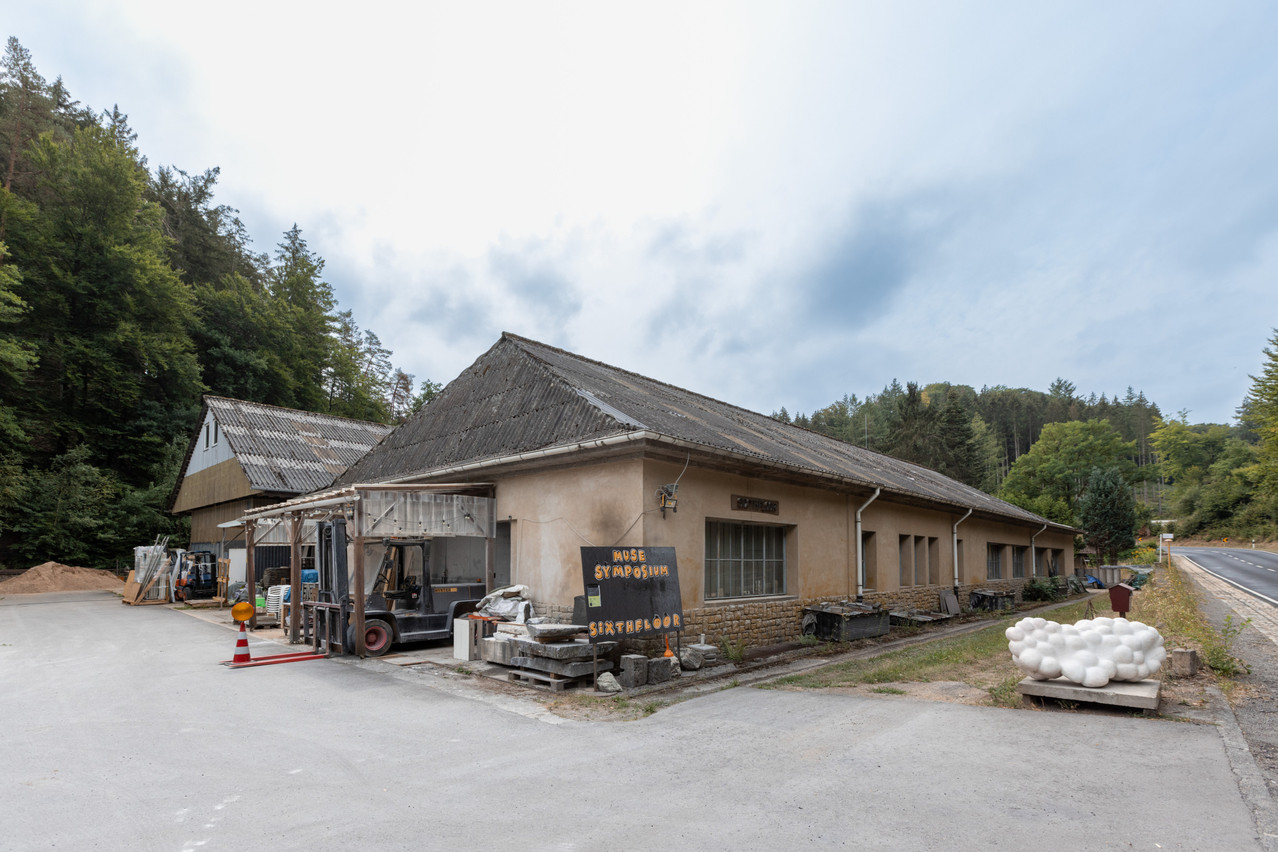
column 557, row 513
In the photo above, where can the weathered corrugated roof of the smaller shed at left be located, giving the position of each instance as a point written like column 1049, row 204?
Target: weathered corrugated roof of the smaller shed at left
column 289, row 452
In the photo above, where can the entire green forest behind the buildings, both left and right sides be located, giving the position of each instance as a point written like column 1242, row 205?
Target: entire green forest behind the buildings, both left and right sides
column 127, row 292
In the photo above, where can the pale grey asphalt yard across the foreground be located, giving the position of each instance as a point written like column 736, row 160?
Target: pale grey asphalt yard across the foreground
column 123, row 733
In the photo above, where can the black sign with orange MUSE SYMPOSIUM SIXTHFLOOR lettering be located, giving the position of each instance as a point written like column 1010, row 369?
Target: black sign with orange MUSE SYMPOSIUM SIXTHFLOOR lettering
column 632, row 592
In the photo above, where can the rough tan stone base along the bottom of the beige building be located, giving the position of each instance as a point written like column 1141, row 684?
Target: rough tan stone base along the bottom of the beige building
column 771, row 623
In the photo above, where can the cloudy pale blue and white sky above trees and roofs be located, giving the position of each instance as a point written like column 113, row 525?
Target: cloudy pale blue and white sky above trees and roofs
column 771, row 204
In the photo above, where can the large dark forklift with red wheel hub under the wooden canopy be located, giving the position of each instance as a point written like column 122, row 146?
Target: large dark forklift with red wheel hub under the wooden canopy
column 408, row 601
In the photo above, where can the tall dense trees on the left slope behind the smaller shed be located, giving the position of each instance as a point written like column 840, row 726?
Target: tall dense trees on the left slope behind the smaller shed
column 127, row 293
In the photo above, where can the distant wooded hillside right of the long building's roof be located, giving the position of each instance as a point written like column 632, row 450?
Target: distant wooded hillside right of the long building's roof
column 1111, row 467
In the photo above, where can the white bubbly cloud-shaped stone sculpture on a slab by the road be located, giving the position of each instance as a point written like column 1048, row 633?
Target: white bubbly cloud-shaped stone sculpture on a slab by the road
column 1092, row 652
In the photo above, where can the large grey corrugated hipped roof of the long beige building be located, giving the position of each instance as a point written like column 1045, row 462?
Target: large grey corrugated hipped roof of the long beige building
column 522, row 397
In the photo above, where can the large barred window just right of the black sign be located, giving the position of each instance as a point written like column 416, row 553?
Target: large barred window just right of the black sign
column 744, row 560
